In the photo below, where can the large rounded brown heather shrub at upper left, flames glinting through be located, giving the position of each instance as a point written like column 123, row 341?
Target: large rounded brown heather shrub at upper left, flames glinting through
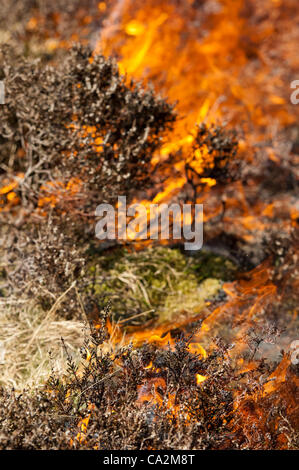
column 80, row 135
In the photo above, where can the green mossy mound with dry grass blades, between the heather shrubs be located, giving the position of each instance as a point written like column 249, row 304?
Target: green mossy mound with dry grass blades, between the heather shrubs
column 160, row 281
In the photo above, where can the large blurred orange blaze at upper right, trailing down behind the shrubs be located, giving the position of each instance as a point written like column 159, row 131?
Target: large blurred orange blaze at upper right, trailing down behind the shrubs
column 213, row 64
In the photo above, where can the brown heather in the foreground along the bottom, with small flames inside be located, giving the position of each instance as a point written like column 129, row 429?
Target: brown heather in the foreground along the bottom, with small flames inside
column 150, row 398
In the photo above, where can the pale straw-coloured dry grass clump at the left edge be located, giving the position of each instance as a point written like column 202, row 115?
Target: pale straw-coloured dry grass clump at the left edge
column 27, row 335
